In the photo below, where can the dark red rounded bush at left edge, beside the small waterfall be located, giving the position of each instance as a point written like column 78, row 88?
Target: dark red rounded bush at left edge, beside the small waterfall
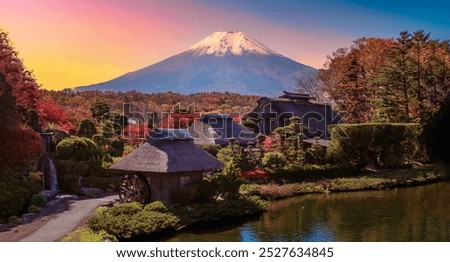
column 19, row 145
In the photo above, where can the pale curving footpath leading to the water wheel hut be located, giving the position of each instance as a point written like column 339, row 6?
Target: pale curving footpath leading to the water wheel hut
column 55, row 222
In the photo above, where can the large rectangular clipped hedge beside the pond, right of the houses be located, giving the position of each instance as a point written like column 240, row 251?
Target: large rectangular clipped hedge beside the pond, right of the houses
column 376, row 144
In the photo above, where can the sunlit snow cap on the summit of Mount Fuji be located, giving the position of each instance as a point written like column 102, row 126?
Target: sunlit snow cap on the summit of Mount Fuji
column 231, row 42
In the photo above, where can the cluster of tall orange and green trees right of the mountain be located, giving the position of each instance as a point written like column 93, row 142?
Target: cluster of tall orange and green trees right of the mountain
column 387, row 80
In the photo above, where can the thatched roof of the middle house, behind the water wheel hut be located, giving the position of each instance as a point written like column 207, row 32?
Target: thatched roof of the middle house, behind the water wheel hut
column 219, row 129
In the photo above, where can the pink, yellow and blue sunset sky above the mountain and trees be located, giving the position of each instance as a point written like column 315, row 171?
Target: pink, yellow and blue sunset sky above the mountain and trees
column 69, row 43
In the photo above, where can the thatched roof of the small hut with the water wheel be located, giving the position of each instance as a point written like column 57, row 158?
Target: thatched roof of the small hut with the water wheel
column 166, row 151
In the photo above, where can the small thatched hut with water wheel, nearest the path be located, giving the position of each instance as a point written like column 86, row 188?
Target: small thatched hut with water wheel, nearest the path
column 168, row 161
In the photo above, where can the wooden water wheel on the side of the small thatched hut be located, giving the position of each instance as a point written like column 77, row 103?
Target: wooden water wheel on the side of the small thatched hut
column 134, row 188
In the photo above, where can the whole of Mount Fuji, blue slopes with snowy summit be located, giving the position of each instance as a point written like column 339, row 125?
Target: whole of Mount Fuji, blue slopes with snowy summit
column 223, row 61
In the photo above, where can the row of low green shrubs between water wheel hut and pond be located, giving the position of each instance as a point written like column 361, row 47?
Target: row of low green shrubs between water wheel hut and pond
column 132, row 220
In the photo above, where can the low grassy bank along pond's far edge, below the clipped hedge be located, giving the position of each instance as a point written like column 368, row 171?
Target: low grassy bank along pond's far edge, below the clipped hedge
column 365, row 181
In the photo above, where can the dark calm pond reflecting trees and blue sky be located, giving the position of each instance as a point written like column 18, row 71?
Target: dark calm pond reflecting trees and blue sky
column 407, row 214
